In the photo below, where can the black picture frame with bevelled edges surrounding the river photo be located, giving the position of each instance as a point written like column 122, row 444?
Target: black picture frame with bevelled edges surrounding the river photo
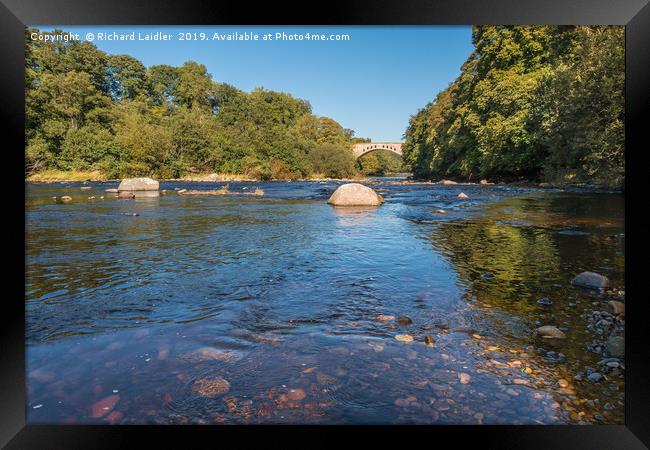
column 15, row 14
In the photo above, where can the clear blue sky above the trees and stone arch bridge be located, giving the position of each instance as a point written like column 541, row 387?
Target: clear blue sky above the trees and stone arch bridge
column 372, row 83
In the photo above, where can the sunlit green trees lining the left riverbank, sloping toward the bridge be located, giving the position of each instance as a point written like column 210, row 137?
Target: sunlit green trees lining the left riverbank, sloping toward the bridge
column 89, row 112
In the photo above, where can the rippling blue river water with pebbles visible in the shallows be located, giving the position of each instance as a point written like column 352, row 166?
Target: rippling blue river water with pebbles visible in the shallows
column 243, row 309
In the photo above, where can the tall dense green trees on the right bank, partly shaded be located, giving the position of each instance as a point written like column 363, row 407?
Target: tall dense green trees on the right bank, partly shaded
column 542, row 103
